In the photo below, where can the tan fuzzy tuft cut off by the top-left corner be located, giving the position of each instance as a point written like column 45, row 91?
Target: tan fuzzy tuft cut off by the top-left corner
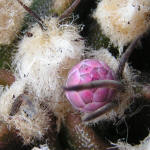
column 11, row 16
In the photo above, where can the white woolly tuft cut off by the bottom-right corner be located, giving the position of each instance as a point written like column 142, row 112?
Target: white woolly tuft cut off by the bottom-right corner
column 144, row 145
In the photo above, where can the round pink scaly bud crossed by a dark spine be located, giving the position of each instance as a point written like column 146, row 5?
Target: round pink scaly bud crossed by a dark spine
column 91, row 99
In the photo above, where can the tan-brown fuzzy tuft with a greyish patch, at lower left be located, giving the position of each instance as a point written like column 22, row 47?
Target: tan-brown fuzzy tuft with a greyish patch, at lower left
column 31, row 121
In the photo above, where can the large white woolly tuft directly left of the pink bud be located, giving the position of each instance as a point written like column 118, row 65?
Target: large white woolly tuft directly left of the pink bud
column 44, row 59
